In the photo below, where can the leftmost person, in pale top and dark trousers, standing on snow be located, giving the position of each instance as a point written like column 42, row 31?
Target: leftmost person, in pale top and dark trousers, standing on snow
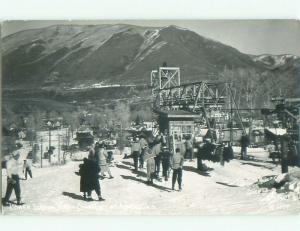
column 13, row 168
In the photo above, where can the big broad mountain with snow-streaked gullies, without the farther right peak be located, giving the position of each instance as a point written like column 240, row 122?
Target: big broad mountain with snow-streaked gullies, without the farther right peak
column 76, row 54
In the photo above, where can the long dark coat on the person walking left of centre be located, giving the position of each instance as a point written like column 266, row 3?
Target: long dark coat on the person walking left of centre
column 88, row 171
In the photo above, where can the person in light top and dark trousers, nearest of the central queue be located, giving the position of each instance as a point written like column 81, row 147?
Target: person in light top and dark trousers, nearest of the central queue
column 177, row 164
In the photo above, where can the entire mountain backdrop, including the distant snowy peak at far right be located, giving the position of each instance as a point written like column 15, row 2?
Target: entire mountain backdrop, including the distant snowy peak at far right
column 95, row 55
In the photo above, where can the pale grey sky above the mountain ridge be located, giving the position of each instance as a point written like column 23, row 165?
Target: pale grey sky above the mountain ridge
column 249, row 36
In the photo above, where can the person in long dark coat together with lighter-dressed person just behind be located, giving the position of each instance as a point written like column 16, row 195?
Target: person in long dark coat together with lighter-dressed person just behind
column 93, row 168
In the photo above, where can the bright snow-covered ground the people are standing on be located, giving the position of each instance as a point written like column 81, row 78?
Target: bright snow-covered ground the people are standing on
column 225, row 190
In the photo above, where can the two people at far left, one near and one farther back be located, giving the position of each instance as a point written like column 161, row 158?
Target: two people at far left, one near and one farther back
column 13, row 168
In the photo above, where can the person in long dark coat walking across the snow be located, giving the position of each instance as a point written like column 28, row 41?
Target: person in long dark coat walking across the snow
column 89, row 181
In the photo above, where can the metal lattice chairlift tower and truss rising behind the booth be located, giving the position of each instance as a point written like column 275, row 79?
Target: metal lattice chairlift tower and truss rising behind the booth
column 214, row 103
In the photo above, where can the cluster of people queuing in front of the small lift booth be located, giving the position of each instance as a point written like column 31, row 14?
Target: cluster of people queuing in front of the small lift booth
column 157, row 154
